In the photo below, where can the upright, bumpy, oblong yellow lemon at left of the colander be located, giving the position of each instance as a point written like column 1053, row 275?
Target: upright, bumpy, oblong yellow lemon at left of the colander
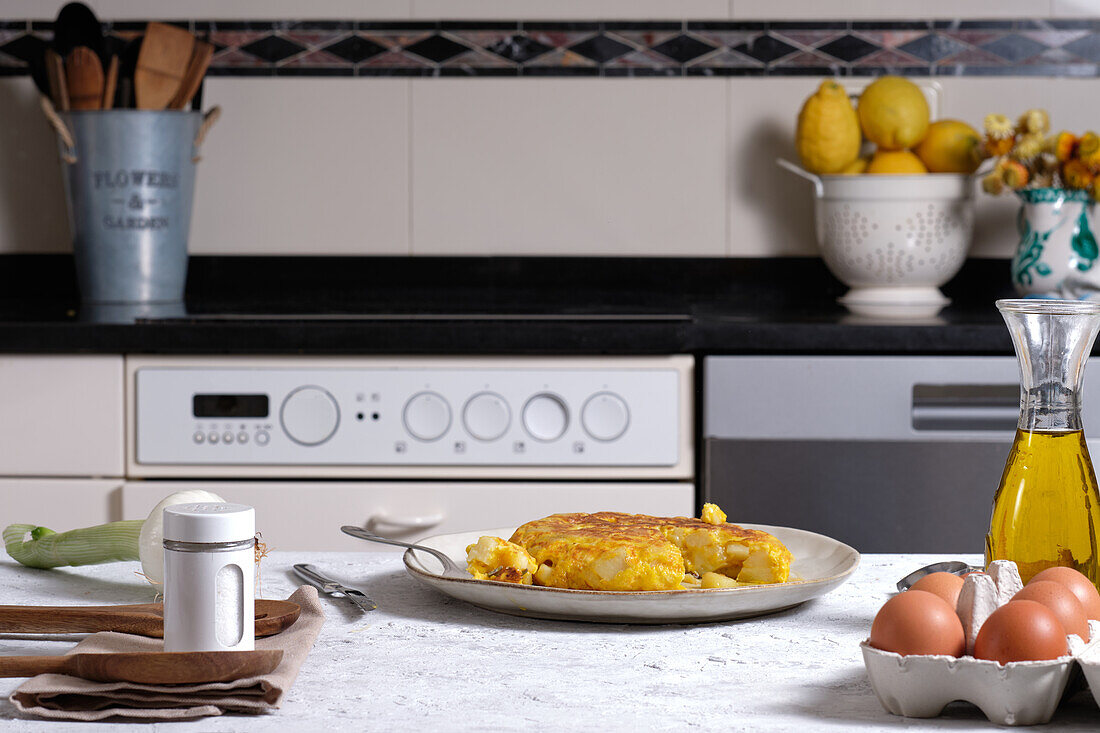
column 828, row 136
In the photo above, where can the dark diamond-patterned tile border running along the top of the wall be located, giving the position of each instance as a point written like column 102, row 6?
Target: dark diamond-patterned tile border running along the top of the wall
column 1055, row 48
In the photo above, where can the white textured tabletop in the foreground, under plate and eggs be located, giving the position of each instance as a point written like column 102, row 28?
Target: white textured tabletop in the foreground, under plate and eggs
column 426, row 662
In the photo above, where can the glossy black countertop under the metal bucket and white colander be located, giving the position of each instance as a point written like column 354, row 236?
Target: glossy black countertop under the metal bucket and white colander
column 496, row 305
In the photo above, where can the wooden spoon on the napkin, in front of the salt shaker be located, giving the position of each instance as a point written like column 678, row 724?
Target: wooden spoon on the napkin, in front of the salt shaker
column 148, row 668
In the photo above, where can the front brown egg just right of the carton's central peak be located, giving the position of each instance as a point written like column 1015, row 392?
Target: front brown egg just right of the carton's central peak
column 1021, row 631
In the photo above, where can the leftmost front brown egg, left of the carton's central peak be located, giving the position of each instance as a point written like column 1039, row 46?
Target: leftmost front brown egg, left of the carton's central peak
column 918, row 622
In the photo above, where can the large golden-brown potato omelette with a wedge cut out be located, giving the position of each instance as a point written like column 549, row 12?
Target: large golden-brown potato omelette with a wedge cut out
column 611, row 551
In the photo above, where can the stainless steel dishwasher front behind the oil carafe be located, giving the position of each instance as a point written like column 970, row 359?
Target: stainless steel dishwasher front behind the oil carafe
column 886, row 454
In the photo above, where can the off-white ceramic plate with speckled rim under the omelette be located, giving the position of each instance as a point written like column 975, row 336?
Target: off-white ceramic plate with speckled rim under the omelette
column 821, row 564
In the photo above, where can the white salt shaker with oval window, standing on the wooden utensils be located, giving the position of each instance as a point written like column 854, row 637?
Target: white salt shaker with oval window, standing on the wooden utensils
column 210, row 573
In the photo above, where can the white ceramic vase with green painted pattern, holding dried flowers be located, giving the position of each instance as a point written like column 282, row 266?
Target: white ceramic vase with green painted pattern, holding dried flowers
column 1058, row 253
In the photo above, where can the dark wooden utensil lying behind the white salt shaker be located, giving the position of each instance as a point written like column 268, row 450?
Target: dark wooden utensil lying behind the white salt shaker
column 145, row 620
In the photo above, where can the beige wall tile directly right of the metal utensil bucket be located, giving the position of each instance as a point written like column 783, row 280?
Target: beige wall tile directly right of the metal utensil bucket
column 305, row 167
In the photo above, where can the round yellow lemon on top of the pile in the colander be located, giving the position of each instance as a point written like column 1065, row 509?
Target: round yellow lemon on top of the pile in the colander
column 894, row 113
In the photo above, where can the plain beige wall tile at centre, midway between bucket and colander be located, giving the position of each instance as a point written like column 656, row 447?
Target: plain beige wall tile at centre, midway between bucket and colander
column 569, row 167
